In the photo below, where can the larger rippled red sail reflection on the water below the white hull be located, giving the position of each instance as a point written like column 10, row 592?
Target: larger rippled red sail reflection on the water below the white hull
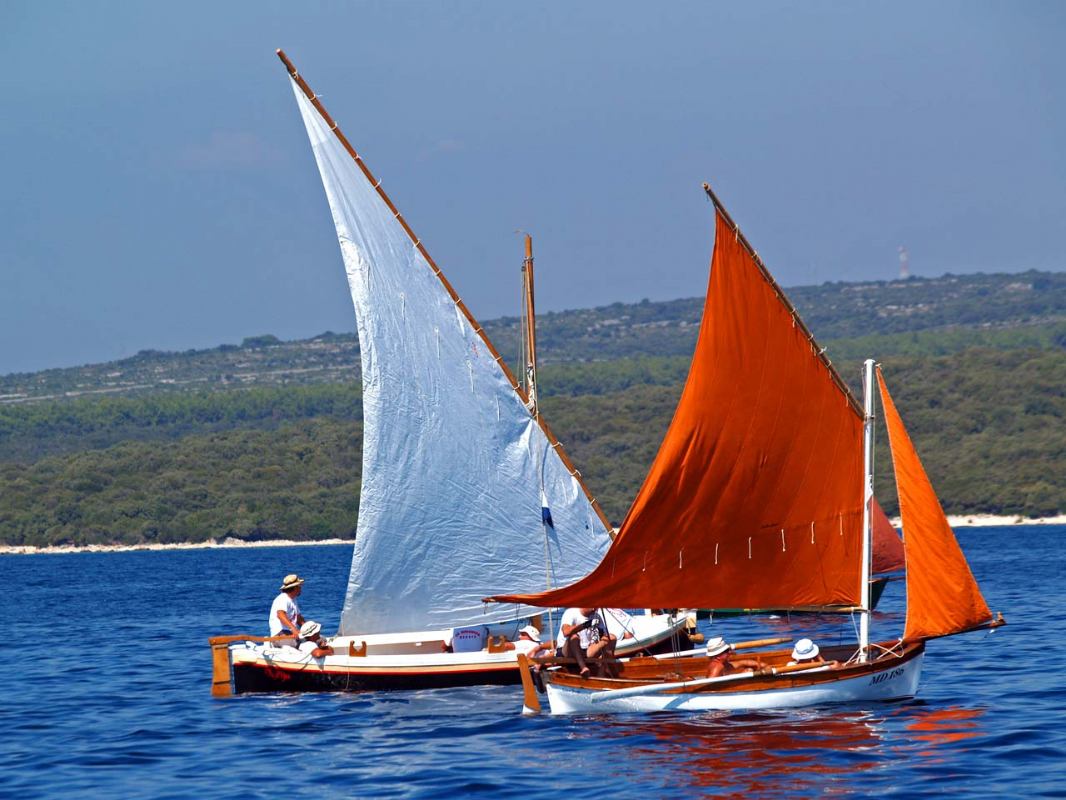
column 768, row 754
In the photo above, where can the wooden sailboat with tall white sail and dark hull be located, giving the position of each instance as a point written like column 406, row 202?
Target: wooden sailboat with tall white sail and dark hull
column 465, row 490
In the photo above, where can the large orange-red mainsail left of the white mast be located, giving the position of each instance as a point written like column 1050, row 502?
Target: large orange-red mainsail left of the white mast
column 755, row 499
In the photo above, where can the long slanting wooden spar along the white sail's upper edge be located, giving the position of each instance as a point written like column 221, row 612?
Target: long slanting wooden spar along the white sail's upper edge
column 556, row 444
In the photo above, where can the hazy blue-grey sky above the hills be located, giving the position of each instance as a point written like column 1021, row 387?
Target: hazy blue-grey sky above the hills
column 159, row 191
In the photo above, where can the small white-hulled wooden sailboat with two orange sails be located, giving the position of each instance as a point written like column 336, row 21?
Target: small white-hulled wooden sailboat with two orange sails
column 762, row 498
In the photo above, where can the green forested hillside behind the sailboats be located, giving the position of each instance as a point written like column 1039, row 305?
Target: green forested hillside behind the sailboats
column 263, row 441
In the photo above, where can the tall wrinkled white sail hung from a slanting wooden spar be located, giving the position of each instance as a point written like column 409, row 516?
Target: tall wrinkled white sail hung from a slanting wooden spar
column 454, row 466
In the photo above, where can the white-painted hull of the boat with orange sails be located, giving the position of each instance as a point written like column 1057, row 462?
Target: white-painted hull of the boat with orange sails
column 894, row 683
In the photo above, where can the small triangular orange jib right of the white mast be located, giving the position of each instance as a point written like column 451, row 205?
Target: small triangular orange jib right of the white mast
column 943, row 597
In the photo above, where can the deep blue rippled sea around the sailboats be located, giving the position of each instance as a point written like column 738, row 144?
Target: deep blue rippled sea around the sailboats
column 108, row 695
